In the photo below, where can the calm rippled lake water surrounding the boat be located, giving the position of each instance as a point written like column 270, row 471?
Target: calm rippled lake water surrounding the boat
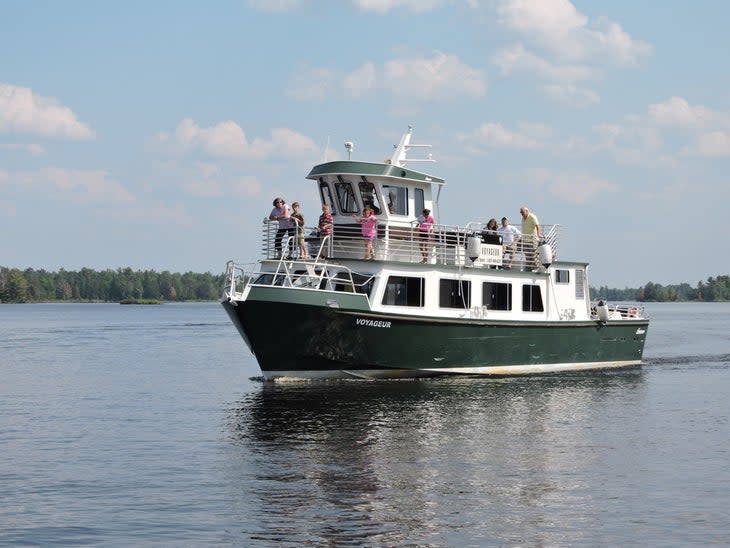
column 148, row 425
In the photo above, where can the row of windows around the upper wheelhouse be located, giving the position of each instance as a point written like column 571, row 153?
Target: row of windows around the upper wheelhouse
column 395, row 198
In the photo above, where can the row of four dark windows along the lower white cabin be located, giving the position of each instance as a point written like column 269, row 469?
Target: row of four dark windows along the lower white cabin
column 409, row 291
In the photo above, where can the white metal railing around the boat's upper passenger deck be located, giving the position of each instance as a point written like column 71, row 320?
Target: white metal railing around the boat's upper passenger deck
column 401, row 242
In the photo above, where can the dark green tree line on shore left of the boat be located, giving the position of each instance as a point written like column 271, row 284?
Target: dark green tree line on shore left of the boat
column 87, row 285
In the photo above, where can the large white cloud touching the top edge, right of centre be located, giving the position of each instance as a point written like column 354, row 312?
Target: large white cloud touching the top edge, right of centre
column 558, row 27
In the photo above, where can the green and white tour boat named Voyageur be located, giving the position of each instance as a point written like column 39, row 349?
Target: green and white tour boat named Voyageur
column 455, row 302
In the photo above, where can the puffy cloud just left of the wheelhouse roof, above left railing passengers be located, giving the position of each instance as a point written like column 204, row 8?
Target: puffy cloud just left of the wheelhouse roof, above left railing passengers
column 228, row 140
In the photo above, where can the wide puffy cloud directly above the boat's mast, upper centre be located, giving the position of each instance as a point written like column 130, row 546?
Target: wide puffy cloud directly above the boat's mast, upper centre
column 419, row 78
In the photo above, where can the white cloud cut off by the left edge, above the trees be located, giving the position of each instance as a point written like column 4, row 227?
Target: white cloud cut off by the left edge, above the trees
column 23, row 111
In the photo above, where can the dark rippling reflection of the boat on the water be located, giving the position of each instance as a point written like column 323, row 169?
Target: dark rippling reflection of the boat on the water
column 430, row 462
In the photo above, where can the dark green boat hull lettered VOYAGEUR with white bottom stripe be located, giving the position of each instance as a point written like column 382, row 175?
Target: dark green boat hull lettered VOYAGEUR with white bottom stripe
column 308, row 338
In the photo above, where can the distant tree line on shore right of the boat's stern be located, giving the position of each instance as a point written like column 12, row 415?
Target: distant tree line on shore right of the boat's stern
column 714, row 289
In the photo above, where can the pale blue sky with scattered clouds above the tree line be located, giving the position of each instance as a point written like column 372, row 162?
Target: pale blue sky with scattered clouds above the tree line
column 154, row 135
